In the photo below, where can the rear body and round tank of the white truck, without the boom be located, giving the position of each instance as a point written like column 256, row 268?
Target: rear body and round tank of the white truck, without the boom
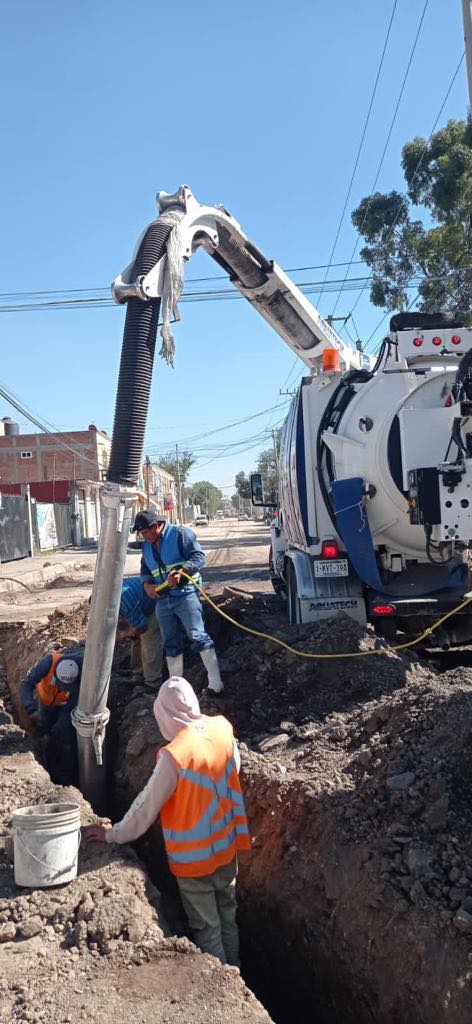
column 395, row 445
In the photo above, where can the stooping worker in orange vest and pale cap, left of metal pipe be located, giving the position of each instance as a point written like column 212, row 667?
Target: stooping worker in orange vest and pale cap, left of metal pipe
column 49, row 694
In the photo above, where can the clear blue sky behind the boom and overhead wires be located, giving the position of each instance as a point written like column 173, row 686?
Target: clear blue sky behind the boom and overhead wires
column 256, row 106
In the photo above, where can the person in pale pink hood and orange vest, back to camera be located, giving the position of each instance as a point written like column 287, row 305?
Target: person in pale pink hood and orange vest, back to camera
column 196, row 790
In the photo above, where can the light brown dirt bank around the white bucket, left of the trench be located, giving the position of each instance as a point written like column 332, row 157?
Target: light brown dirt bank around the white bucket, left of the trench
column 101, row 948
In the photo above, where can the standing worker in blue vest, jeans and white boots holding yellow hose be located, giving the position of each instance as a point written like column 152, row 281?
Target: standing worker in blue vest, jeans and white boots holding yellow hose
column 168, row 550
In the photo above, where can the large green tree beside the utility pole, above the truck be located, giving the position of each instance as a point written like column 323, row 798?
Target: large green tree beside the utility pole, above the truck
column 436, row 247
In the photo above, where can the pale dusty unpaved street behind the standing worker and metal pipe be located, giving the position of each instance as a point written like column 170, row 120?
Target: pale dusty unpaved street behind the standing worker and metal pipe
column 237, row 556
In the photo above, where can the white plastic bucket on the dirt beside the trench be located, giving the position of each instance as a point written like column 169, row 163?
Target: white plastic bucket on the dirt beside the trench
column 47, row 840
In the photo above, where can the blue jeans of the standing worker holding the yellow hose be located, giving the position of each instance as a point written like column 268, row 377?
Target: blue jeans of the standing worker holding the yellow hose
column 186, row 611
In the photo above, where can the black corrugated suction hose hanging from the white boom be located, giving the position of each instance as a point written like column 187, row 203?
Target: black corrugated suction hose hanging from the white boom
column 137, row 366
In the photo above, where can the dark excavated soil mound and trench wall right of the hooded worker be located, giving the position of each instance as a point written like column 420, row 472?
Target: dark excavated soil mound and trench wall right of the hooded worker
column 356, row 903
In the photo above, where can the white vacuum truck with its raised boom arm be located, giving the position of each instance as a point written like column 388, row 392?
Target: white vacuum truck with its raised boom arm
column 374, row 515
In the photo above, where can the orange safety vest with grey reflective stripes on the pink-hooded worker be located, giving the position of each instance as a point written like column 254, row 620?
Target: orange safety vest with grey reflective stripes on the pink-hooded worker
column 204, row 822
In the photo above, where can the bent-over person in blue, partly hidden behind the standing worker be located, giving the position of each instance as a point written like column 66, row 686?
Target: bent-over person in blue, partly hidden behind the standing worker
column 138, row 623
